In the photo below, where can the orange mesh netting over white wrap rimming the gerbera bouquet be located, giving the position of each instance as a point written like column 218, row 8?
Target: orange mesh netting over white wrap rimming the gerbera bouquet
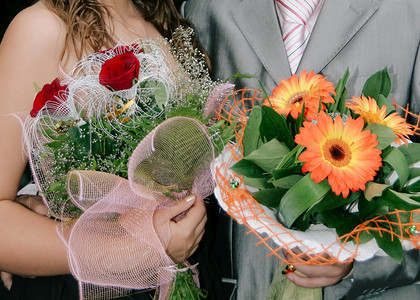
column 319, row 245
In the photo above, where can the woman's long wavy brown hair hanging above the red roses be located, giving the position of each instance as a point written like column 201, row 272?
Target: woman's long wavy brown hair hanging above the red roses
column 87, row 30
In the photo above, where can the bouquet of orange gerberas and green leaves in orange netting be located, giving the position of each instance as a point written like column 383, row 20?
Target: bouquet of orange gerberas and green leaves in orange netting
column 326, row 177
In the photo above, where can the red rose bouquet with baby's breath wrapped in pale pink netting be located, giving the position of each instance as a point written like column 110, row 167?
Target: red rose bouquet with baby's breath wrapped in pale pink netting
column 112, row 147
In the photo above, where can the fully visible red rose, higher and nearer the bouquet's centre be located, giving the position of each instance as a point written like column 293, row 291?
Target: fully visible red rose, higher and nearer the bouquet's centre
column 118, row 73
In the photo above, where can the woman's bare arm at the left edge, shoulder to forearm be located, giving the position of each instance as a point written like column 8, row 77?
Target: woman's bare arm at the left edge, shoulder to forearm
column 29, row 52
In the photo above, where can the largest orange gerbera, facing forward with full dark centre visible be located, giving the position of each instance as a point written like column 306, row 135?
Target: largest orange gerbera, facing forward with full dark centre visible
column 345, row 154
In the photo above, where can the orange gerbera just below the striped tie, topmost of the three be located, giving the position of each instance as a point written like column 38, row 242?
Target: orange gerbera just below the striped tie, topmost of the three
column 290, row 95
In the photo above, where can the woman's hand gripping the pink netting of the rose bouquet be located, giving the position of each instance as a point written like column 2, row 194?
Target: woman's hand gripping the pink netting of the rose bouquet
column 186, row 233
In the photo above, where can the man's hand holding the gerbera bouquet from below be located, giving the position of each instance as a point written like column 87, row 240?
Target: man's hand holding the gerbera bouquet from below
column 317, row 275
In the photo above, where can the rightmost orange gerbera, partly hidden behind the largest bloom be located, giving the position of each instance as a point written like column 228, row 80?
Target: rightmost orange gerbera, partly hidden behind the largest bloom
column 369, row 110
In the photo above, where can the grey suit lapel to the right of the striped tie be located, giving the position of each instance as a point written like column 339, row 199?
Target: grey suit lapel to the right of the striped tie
column 338, row 22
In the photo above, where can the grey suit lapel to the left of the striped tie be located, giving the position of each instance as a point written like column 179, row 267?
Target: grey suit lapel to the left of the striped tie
column 257, row 19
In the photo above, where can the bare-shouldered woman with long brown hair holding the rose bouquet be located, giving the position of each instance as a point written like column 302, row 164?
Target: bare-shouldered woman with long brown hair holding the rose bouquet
column 43, row 40
